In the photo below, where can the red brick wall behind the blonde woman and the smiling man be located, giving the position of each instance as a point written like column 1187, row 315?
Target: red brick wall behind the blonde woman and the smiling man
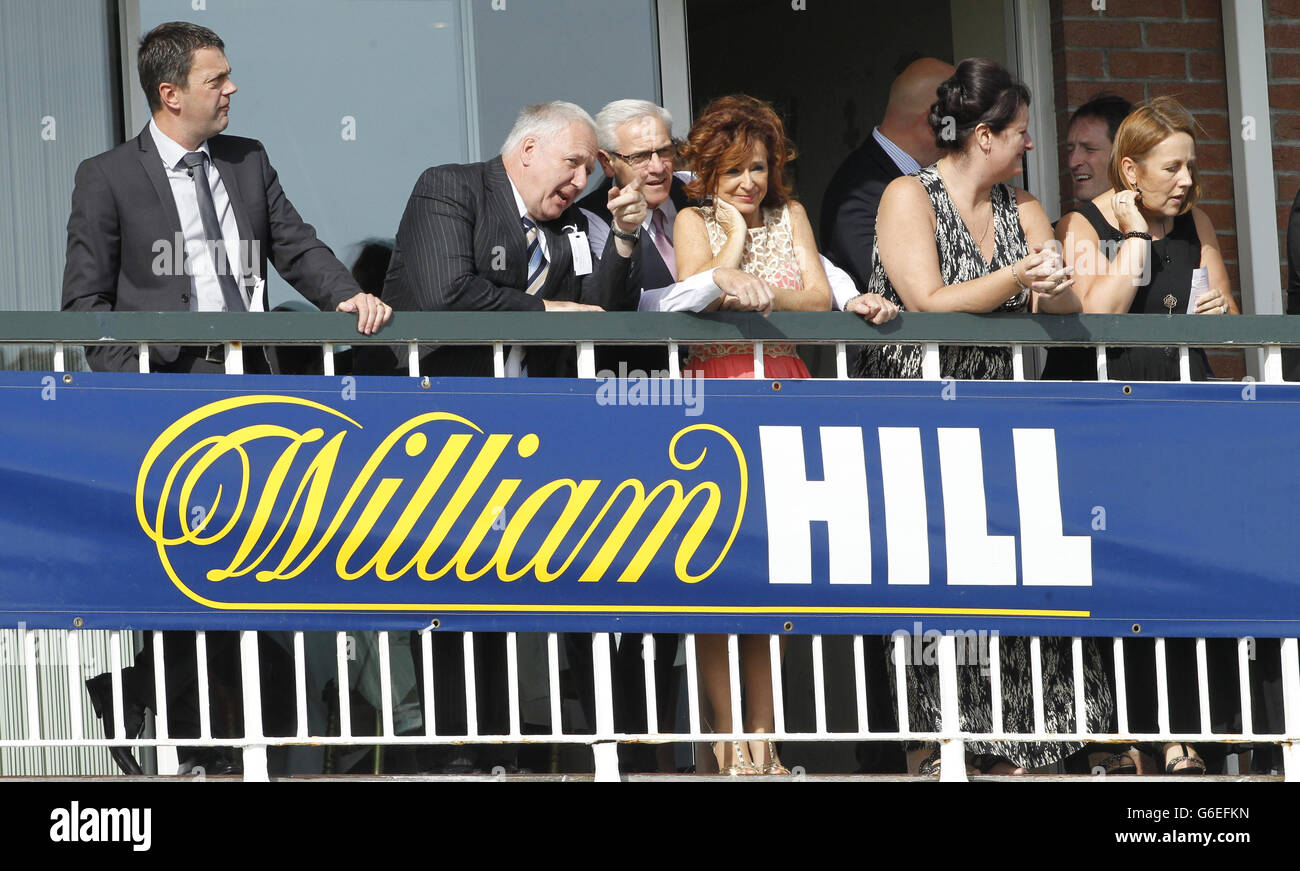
column 1146, row 49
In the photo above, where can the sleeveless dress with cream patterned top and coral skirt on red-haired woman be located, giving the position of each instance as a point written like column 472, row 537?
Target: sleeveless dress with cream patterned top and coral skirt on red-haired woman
column 770, row 255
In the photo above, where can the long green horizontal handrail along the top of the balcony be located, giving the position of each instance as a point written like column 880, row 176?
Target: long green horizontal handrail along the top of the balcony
column 638, row 328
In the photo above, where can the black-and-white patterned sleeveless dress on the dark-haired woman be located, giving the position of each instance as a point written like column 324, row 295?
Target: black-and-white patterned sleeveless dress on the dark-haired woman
column 961, row 261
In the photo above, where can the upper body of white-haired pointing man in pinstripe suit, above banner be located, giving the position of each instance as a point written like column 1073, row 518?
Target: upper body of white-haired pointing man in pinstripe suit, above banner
column 508, row 236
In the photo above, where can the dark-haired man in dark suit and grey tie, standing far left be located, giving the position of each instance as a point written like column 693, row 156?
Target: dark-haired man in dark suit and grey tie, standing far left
column 183, row 219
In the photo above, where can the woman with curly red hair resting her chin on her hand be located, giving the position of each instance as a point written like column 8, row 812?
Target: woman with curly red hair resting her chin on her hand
column 738, row 150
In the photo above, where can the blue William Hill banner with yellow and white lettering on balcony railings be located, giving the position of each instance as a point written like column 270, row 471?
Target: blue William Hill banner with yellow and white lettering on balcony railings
column 635, row 505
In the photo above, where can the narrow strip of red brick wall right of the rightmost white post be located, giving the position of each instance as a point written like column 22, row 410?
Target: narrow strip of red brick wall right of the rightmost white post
column 1282, row 38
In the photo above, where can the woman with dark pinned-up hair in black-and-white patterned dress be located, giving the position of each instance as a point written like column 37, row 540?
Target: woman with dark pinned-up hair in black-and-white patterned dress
column 956, row 239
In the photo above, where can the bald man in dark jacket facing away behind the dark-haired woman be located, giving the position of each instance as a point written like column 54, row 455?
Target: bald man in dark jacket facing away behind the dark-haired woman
column 902, row 145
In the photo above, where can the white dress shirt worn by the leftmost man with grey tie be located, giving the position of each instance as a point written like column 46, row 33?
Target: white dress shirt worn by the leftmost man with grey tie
column 200, row 261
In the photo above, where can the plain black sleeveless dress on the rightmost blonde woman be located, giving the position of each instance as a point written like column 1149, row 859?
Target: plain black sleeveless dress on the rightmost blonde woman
column 1172, row 262
